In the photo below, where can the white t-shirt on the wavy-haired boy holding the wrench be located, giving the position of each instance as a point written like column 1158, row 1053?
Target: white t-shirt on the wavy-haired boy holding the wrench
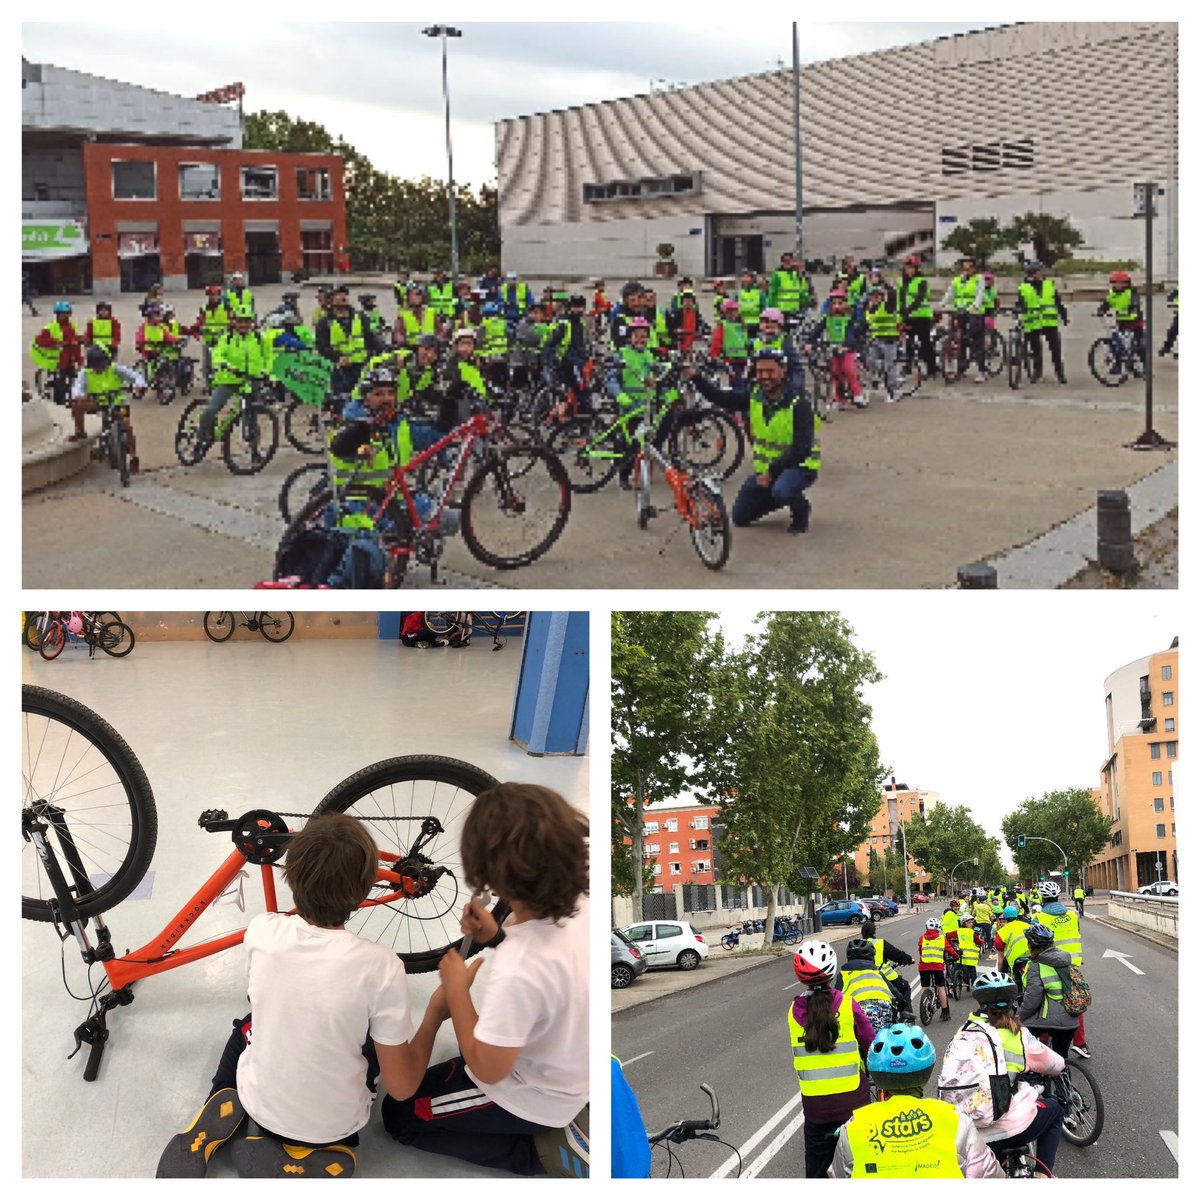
column 538, row 999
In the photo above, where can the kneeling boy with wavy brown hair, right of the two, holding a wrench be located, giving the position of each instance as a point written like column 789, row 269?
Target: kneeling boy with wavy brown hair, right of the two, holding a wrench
column 521, row 1077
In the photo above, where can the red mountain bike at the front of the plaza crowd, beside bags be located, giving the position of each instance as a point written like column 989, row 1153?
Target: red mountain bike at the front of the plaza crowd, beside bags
column 526, row 487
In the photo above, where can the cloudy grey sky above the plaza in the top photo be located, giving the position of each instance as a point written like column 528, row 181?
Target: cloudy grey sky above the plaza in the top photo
column 380, row 86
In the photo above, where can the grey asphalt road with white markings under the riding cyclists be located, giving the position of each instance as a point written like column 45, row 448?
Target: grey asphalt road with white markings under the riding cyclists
column 733, row 1035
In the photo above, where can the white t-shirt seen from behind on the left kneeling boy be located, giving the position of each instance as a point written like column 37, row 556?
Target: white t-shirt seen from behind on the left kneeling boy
column 315, row 995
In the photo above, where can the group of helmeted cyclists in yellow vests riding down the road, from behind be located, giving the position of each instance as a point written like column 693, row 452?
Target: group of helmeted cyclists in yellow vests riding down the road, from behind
column 845, row 1042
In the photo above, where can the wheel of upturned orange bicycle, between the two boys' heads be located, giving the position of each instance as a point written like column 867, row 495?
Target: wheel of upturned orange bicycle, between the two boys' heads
column 394, row 797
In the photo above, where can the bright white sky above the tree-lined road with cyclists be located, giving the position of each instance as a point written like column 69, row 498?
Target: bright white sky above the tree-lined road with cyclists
column 995, row 700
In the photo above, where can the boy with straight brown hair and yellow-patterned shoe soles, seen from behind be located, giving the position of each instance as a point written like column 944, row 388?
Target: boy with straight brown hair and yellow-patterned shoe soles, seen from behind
column 331, row 1011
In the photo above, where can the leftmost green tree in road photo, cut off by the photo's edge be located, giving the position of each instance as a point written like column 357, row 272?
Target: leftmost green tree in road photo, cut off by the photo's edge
column 662, row 663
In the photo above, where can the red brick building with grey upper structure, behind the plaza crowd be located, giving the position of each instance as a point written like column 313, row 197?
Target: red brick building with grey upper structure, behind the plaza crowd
column 154, row 187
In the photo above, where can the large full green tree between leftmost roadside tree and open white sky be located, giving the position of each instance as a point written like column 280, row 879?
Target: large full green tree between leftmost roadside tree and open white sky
column 795, row 764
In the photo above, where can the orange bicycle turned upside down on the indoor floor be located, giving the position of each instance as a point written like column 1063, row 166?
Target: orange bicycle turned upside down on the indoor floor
column 89, row 827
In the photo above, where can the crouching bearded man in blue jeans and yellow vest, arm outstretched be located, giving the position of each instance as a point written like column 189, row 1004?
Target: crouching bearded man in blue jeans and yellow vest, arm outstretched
column 784, row 435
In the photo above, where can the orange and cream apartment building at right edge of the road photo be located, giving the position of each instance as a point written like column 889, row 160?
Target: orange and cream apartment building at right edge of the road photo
column 1137, row 794
